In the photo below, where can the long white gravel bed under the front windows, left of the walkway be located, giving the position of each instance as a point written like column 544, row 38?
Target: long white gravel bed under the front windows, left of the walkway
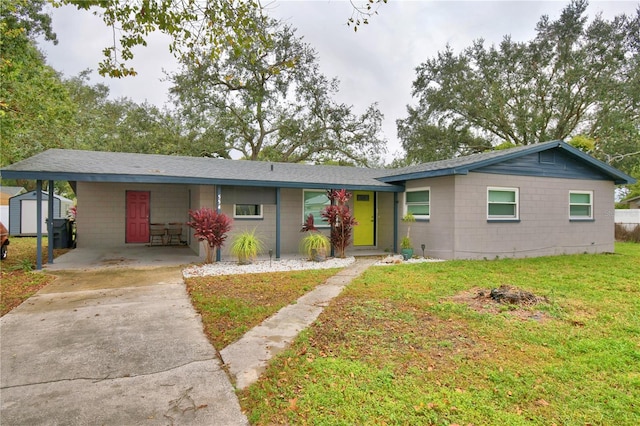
column 229, row 268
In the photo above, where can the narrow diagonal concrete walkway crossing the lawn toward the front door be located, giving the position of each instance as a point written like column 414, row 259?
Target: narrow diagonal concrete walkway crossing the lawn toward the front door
column 248, row 357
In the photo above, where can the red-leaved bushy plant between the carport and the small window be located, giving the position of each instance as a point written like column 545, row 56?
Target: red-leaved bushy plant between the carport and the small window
column 210, row 226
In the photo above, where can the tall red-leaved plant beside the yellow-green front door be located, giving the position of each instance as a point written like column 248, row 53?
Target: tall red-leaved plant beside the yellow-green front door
column 340, row 218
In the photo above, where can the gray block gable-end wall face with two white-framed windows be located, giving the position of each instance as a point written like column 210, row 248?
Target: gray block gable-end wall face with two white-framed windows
column 544, row 227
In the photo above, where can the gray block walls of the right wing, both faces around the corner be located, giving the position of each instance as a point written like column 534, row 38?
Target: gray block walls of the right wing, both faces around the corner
column 459, row 229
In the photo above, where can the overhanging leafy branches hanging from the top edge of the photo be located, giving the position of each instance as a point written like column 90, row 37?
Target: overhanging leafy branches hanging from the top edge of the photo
column 191, row 25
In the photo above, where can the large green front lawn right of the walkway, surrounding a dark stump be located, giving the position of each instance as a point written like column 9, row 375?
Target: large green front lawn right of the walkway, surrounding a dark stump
column 396, row 348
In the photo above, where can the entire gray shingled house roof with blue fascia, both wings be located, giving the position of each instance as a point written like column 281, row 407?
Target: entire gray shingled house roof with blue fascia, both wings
column 94, row 166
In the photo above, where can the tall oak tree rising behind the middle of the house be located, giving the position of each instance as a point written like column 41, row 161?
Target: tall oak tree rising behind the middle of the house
column 269, row 101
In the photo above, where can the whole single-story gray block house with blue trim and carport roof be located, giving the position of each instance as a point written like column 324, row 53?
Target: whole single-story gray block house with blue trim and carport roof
column 544, row 199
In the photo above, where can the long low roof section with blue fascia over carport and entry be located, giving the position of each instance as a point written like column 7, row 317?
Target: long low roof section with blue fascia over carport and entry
column 94, row 166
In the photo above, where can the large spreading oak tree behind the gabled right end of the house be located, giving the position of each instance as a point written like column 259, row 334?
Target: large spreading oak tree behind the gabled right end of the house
column 576, row 77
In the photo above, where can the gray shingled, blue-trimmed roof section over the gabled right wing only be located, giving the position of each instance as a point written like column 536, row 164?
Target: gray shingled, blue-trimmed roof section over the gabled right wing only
column 466, row 164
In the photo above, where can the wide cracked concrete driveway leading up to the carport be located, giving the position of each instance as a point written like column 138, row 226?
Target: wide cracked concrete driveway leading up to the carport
column 112, row 347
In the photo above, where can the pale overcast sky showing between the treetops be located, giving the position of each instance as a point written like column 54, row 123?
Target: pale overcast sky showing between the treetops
column 375, row 64
